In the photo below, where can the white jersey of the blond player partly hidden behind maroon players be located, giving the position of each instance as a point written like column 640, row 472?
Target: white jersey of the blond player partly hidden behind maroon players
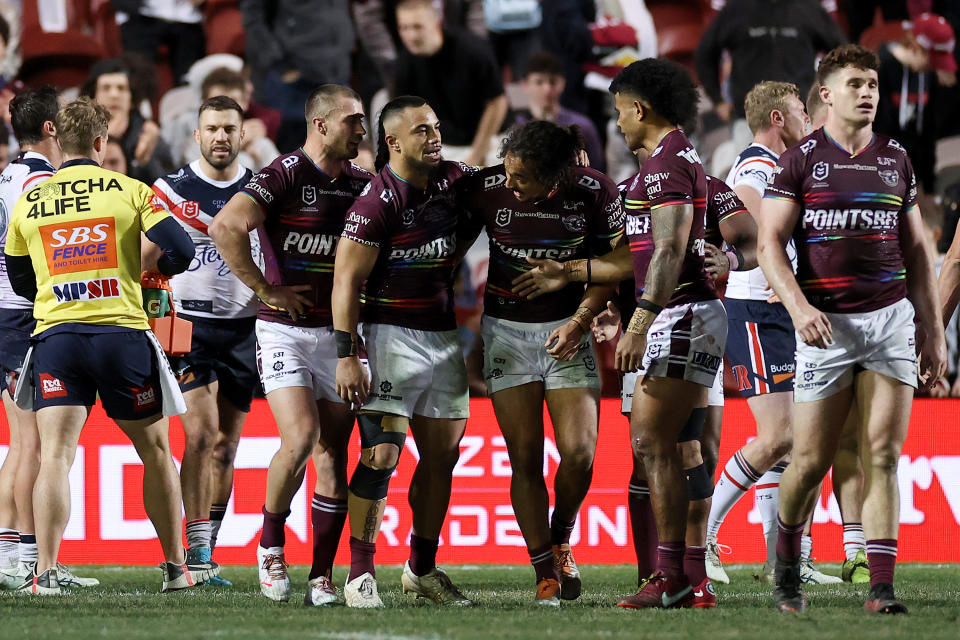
column 753, row 168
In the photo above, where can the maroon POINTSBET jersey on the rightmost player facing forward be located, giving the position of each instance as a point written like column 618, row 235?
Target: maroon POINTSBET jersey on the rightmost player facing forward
column 848, row 233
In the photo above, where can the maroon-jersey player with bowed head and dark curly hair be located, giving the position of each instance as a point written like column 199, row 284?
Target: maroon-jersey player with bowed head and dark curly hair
column 539, row 204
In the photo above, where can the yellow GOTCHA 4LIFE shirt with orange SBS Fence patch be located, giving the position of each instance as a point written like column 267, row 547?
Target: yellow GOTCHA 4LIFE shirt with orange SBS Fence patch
column 81, row 229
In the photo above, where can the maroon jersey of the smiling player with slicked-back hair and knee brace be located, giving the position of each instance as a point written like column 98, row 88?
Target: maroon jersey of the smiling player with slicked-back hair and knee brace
column 411, row 284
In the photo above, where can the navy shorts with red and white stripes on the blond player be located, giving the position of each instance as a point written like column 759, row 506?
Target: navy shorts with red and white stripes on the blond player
column 761, row 346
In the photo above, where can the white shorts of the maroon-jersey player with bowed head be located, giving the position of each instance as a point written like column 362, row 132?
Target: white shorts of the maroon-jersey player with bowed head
column 513, row 354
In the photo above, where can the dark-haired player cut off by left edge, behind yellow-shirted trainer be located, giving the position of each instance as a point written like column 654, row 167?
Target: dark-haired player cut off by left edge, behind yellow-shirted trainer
column 32, row 114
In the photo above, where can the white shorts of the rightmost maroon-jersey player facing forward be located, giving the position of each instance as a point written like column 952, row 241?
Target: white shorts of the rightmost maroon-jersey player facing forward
column 882, row 341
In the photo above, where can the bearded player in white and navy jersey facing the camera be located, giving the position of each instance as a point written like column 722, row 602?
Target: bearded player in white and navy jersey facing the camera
column 219, row 374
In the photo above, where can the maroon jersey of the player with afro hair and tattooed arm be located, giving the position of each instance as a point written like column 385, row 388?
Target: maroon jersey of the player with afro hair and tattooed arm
column 671, row 176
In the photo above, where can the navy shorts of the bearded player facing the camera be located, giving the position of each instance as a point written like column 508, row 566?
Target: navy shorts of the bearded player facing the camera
column 224, row 350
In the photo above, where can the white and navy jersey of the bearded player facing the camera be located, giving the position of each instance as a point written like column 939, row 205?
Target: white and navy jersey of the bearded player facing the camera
column 207, row 288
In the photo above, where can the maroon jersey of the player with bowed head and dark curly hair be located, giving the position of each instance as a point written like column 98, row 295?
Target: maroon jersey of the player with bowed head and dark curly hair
column 576, row 221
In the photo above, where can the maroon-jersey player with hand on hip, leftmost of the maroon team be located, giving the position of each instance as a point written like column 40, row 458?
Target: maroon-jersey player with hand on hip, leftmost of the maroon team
column 297, row 204
